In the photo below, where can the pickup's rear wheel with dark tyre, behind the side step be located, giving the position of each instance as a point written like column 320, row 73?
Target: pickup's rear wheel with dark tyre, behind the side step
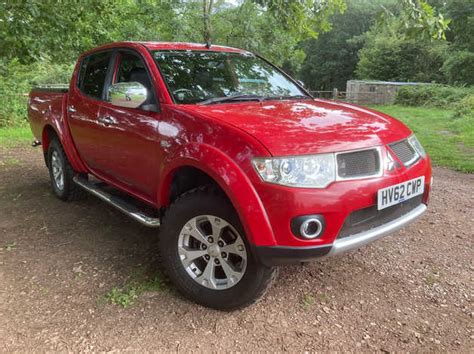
column 62, row 174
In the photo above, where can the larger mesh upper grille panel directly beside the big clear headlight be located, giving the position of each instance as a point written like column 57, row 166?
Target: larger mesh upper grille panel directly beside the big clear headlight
column 355, row 164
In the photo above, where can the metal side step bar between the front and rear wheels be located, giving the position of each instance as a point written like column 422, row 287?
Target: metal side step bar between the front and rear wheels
column 120, row 204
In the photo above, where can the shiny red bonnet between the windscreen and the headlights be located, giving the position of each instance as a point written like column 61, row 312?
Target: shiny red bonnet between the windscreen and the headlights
column 307, row 127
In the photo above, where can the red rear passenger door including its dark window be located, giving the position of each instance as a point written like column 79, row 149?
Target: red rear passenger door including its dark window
column 84, row 103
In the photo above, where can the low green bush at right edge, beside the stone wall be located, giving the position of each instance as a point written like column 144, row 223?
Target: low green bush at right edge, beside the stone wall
column 432, row 95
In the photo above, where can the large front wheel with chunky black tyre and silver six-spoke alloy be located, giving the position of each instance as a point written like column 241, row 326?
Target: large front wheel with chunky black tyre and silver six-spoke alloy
column 206, row 255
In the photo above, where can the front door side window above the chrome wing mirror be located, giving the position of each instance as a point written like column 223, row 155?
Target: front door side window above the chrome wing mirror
column 132, row 69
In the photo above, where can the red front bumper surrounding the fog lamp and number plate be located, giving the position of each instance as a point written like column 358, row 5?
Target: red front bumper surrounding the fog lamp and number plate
column 341, row 201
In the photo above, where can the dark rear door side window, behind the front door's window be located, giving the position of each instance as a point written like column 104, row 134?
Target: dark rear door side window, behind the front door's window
column 93, row 74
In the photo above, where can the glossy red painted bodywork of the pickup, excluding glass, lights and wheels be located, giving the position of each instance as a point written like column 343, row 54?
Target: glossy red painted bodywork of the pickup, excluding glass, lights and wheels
column 141, row 154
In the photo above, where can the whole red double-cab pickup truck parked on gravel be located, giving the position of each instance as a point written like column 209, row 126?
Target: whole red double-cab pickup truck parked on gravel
column 237, row 164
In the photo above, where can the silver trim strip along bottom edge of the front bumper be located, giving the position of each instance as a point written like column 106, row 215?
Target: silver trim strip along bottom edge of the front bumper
column 355, row 241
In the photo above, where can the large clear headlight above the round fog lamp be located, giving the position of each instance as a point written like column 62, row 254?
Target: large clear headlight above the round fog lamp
column 315, row 171
